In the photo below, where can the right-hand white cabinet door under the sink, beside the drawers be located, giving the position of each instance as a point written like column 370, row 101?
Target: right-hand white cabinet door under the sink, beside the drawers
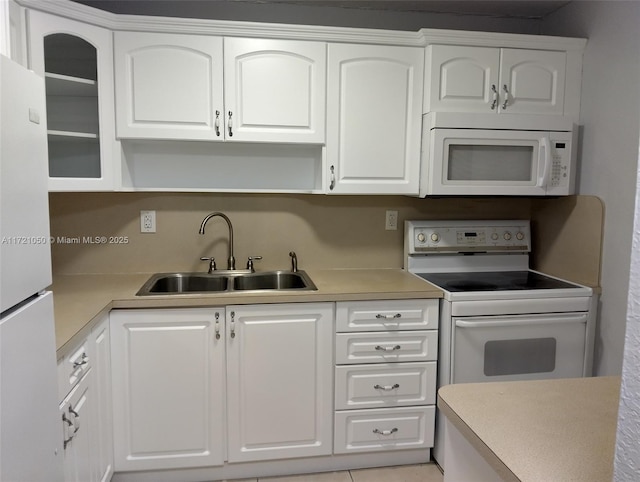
column 279, row 381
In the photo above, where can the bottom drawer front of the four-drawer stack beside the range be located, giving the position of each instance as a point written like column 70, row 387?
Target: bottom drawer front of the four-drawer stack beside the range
column 384, row 429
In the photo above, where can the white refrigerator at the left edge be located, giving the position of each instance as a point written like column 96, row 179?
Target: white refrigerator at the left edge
column 30, row 429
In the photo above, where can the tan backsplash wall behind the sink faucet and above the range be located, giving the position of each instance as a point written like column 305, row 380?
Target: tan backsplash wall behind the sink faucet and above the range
column 325, row 231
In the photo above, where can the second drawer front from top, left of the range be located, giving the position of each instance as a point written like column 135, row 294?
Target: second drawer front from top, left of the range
column 386, row 347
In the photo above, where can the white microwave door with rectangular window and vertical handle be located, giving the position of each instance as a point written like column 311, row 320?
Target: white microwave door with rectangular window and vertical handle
column 475, row 162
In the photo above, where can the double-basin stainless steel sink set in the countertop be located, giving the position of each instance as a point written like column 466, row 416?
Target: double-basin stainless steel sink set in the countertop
column 224, row 282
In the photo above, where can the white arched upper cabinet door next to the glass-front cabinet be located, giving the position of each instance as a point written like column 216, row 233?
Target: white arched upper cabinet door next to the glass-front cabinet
column 168, row 86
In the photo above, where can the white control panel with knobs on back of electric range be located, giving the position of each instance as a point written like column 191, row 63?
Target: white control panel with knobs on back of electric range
column 467, row 236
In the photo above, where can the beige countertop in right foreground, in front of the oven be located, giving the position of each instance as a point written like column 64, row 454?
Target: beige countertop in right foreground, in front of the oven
column 540, row 430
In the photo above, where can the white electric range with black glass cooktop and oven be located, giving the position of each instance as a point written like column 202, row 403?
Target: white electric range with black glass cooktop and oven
column 499, row 320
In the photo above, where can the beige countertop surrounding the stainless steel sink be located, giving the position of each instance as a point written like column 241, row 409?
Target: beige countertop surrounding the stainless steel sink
column 80, row 300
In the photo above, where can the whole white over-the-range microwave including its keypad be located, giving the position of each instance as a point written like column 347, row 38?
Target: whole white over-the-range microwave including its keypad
column 500, row 155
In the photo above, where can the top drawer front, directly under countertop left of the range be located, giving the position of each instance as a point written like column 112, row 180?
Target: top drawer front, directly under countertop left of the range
column 387, row 315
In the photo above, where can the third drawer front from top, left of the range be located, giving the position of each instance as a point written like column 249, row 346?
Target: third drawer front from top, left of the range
column 385, row 385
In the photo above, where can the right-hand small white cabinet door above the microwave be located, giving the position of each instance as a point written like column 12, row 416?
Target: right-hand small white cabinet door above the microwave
column 535, row 81
